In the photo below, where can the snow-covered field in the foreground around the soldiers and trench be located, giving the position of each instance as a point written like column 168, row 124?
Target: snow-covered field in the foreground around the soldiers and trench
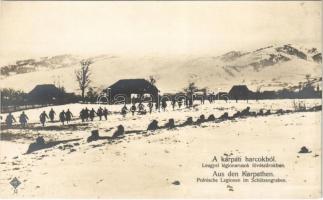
column 145, row 164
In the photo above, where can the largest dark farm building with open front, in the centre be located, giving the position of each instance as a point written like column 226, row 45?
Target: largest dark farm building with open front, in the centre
column 123, row 89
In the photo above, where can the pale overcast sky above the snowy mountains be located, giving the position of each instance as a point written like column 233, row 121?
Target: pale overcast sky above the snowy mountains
column 30, row 29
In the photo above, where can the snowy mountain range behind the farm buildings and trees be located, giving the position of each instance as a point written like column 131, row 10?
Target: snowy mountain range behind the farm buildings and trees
column 268, row 68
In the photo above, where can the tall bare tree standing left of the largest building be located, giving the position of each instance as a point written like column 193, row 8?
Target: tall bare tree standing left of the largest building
column 83, row 76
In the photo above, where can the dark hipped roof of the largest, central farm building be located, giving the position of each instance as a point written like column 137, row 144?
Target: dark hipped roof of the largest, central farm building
column 133, row 86
